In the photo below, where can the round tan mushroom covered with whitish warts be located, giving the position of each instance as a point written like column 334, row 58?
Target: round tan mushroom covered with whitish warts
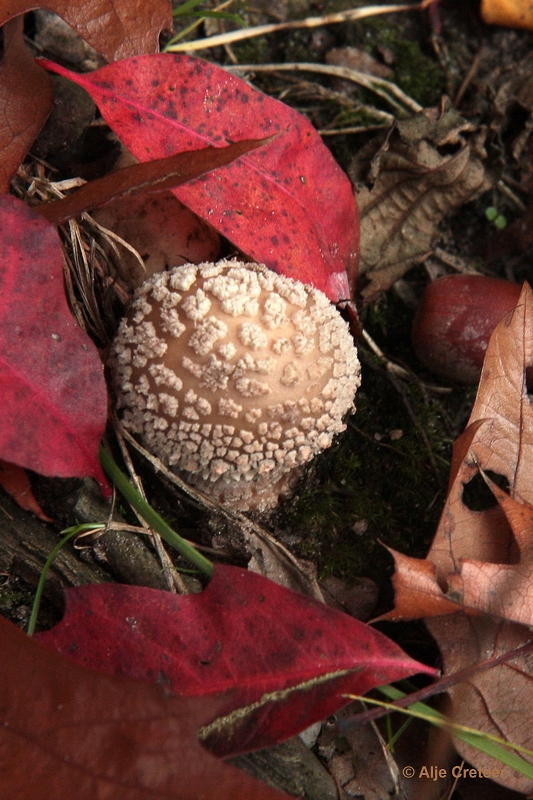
column 235, row 376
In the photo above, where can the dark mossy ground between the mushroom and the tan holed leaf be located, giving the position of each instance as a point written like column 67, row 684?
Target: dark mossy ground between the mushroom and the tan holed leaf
column 380, row 482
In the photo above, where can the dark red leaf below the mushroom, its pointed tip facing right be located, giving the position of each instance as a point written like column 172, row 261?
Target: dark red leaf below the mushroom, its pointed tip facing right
column 243, row 633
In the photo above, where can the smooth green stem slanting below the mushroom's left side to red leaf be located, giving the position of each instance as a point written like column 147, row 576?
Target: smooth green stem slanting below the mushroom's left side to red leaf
column 151, row 516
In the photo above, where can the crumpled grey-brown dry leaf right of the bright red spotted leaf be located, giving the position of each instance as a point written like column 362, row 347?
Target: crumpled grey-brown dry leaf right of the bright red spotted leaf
column 415, row 181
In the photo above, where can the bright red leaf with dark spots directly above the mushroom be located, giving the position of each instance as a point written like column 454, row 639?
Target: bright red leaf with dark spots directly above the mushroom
column 287, row 204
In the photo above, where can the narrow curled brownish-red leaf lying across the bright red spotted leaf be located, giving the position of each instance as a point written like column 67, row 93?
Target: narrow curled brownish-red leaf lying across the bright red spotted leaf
column 152, row 176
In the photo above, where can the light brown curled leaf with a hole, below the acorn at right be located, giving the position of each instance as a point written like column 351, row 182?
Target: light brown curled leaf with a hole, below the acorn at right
column 483, row 559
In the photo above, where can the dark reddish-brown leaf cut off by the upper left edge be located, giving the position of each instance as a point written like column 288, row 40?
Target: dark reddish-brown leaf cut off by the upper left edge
column 26, row 96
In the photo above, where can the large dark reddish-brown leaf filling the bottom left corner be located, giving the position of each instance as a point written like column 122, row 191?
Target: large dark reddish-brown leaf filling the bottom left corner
column 69, row 732
